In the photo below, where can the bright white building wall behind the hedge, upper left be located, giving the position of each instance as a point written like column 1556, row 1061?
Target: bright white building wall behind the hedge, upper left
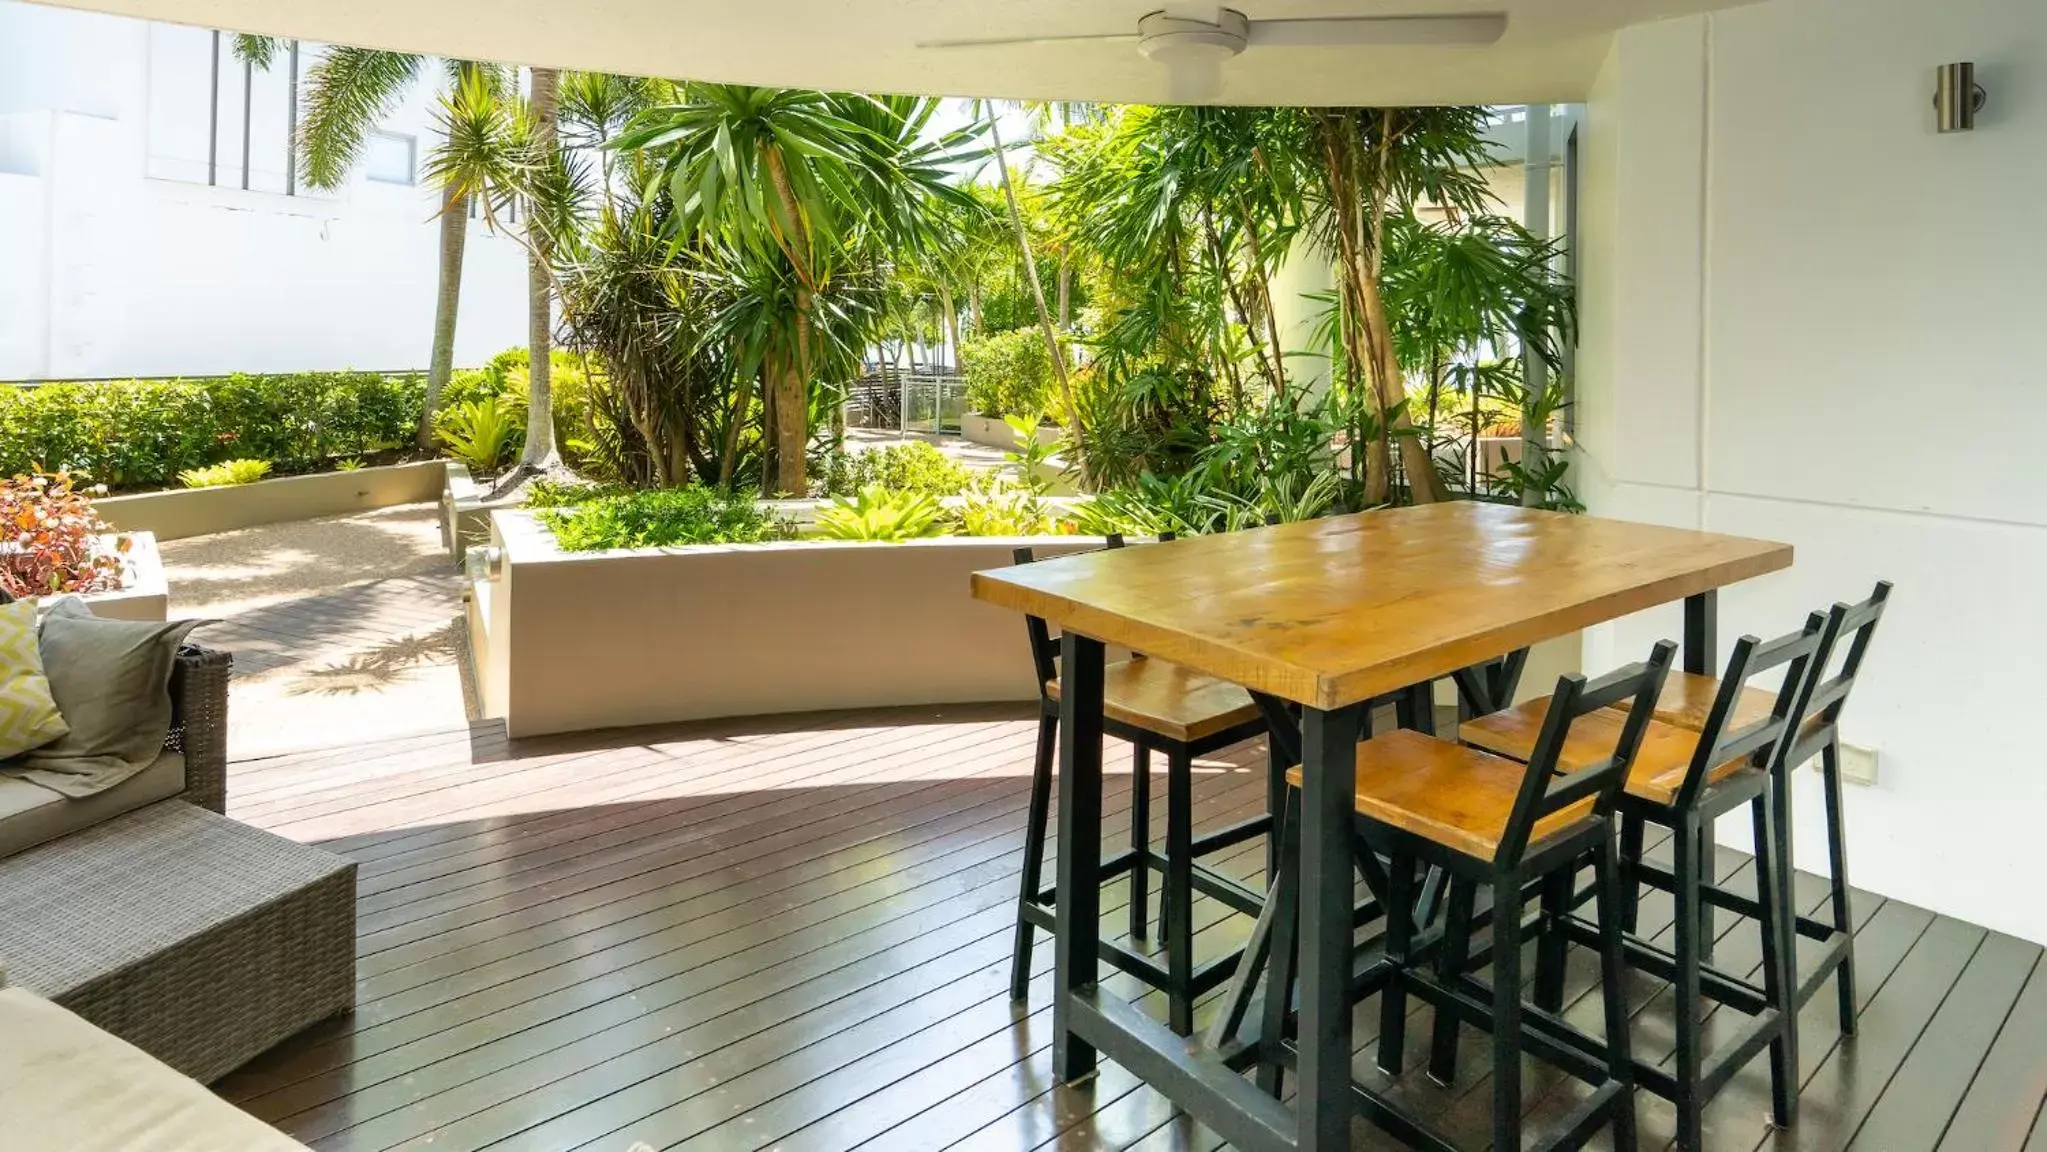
column 118, row 257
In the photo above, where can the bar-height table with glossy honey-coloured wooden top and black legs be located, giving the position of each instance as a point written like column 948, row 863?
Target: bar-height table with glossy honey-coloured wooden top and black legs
column 1327, row 615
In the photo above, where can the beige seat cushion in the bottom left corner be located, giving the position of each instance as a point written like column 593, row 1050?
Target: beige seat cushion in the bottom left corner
column 71, row 1088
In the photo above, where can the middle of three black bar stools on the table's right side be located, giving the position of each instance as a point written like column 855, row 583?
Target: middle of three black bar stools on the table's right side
column 1684, row 781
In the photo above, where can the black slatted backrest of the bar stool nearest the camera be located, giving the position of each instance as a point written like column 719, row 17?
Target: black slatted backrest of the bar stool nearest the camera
column 1542, row 791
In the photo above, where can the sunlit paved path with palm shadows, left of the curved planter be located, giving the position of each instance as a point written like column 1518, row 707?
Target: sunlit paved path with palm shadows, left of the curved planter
column 343, row 629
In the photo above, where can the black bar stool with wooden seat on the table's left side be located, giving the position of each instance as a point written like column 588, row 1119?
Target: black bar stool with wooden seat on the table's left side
column 1153, row 707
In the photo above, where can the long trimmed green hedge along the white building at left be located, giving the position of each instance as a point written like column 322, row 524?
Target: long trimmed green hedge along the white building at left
column 132, row 435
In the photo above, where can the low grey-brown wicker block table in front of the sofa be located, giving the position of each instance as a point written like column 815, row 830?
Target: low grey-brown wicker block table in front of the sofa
column 191, row 936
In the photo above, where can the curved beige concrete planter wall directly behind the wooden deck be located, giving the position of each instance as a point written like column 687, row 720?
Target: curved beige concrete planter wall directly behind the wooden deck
column 568, row 641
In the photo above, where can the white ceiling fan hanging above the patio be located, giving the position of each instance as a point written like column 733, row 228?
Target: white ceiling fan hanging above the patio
column 1192, row 42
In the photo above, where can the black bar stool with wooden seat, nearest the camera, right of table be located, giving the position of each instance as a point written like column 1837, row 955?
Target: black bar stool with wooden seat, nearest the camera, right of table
column 1504, row 828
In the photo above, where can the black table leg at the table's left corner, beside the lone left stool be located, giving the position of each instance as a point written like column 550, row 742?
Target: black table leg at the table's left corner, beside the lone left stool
column 1078, row 938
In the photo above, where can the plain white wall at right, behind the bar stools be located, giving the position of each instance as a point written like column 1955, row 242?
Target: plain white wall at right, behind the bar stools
column 1811, row 318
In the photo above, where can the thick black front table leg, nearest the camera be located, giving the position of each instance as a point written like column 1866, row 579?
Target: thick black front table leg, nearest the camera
column 1330, row 787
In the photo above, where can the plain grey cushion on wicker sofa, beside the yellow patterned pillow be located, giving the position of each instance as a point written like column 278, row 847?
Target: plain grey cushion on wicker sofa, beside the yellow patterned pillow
column 112, row 680
